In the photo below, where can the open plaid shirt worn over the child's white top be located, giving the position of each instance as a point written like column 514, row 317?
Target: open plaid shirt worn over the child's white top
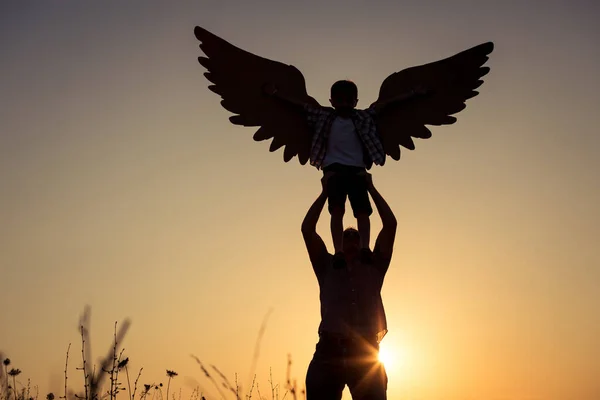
column 320, row 120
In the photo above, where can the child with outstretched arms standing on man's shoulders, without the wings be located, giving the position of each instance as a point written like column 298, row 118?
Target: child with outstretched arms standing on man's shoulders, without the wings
column 345, row 144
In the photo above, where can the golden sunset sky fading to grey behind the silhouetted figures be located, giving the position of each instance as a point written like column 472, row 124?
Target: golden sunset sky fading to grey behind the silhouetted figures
column 124, row 186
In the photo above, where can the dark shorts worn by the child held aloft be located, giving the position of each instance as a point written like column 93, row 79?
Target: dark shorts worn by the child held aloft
column 348, row 183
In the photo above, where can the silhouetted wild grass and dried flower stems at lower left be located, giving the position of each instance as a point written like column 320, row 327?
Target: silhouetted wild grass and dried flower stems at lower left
column 105, row 382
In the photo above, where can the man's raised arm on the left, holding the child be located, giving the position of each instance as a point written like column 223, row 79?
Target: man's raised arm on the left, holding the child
column 314, row 244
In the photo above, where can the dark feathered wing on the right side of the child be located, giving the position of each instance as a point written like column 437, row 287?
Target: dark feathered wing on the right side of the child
column 452, row 81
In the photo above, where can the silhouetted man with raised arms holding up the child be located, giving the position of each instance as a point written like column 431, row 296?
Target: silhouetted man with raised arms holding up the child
column 352, row 316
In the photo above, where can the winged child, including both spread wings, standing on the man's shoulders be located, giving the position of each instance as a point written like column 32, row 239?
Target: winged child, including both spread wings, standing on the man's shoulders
column 340, row 140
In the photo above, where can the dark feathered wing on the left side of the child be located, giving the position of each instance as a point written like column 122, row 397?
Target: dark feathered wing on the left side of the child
column 238, row 77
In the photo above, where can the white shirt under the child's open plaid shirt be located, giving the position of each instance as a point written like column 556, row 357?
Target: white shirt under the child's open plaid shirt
column 344, row 145
